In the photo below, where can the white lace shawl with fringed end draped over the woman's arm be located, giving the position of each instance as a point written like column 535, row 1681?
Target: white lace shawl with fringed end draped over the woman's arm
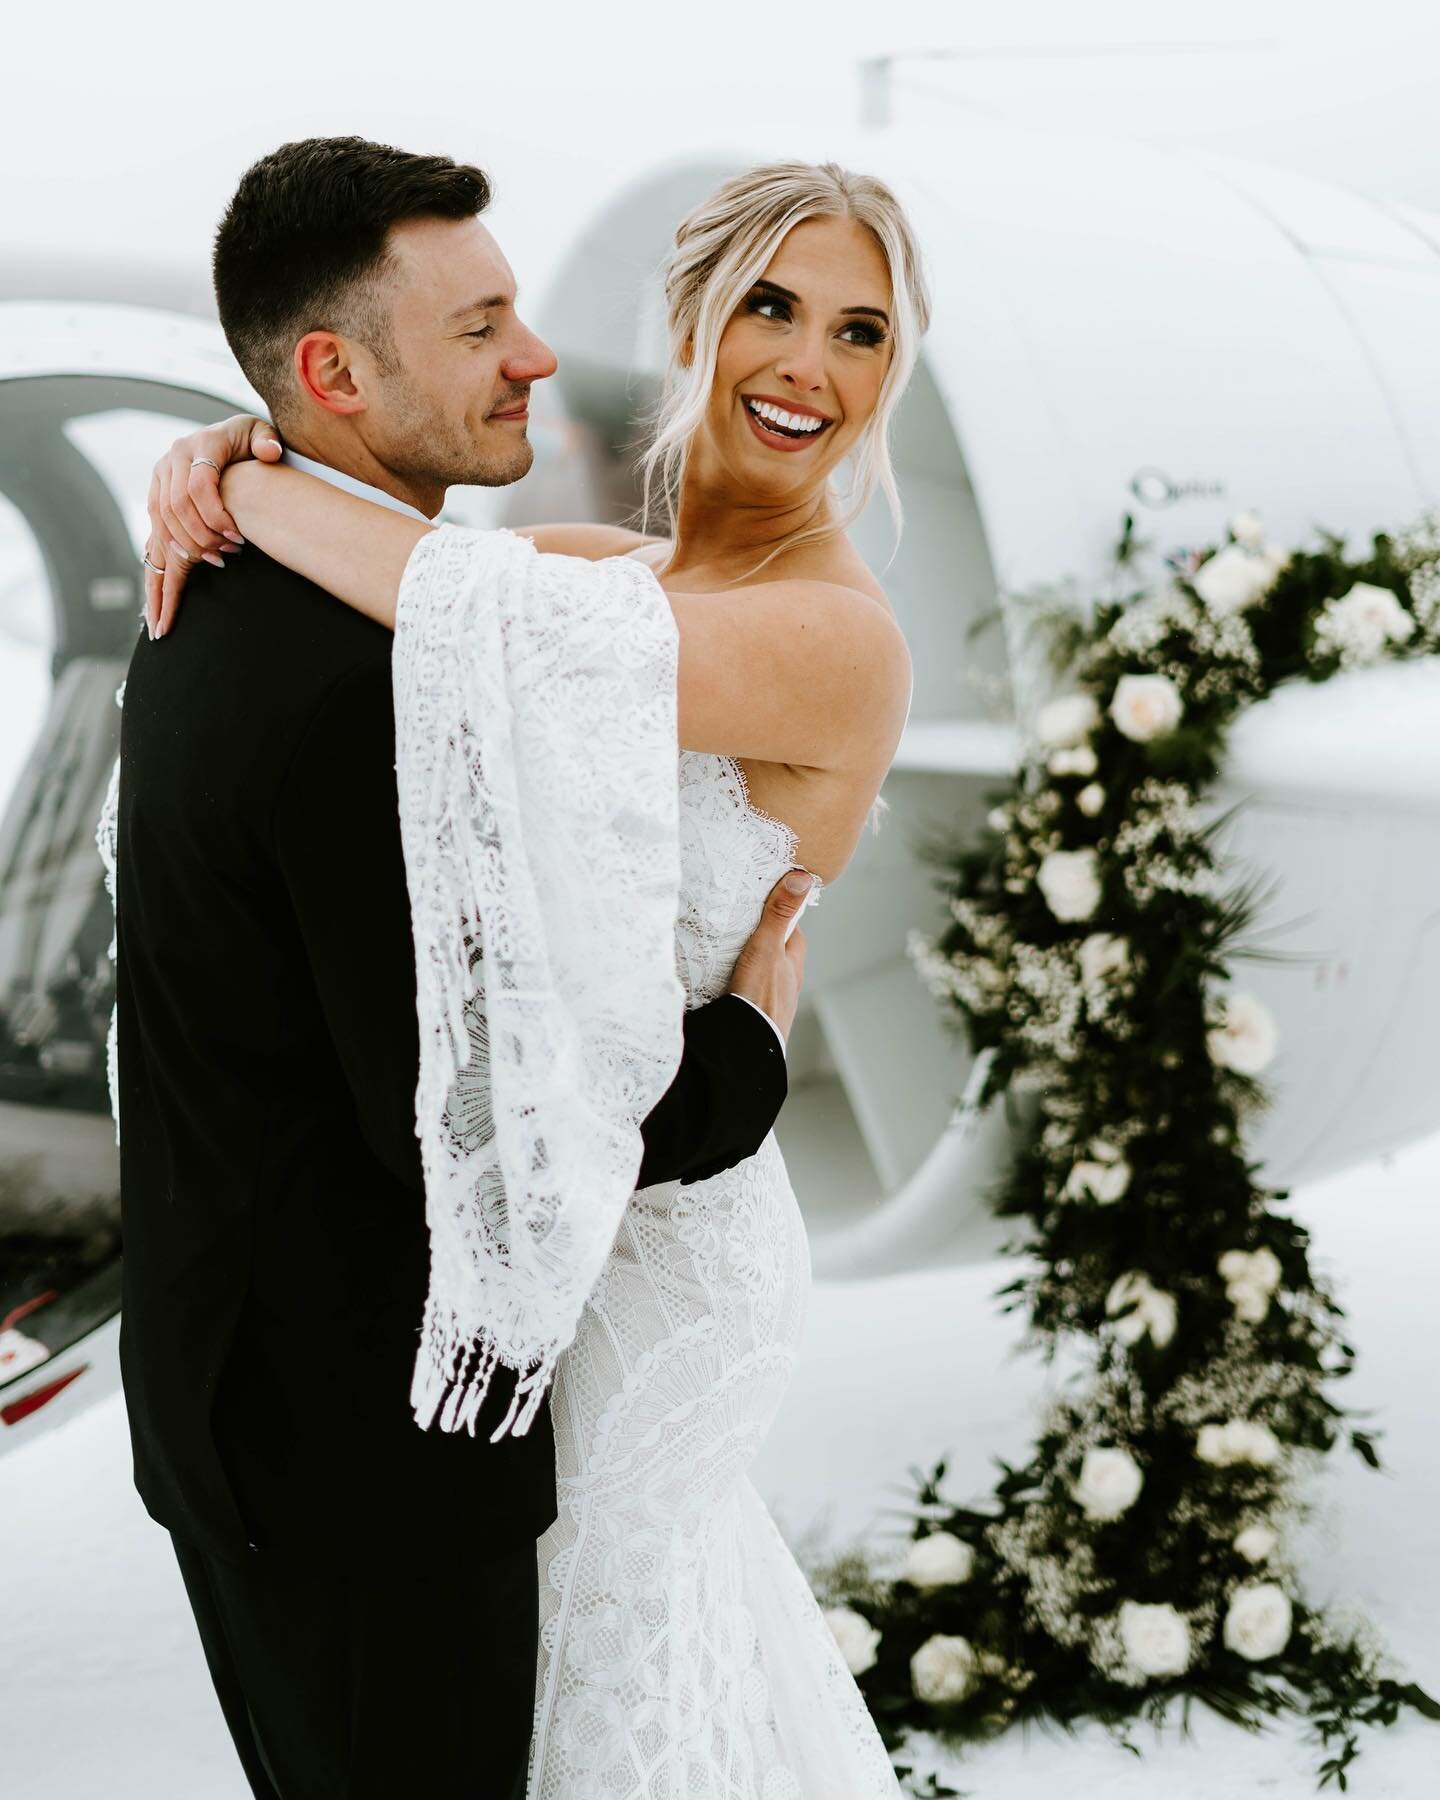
column 535, row 705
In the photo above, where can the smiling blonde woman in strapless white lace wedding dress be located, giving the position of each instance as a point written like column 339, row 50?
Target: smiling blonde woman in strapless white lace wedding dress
column 681, row 1650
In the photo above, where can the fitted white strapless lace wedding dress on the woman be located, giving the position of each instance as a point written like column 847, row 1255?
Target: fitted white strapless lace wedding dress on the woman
column 683, row 1655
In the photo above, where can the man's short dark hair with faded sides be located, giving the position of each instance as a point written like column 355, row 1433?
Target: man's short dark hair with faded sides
column 303, row 247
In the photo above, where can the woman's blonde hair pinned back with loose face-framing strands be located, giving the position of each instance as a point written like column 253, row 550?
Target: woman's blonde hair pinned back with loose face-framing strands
column 723, row 247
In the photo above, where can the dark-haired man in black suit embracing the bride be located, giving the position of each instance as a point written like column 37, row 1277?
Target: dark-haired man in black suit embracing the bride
column 366, row 1592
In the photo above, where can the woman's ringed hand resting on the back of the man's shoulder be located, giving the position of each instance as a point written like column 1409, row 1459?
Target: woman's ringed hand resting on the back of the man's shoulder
column 186, row 514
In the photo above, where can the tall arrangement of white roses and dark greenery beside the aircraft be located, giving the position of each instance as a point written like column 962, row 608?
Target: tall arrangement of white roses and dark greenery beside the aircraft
column 1142, row 1552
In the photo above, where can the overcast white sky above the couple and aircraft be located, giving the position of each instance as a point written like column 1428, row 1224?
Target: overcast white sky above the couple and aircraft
column 125, row 127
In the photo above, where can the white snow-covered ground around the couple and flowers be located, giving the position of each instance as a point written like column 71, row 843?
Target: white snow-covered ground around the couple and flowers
column 103, row 1691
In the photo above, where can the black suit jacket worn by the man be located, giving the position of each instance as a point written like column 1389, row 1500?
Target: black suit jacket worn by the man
column 271, row 1182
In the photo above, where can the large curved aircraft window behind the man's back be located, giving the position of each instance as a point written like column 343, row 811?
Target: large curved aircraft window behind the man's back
column 75, row 474
